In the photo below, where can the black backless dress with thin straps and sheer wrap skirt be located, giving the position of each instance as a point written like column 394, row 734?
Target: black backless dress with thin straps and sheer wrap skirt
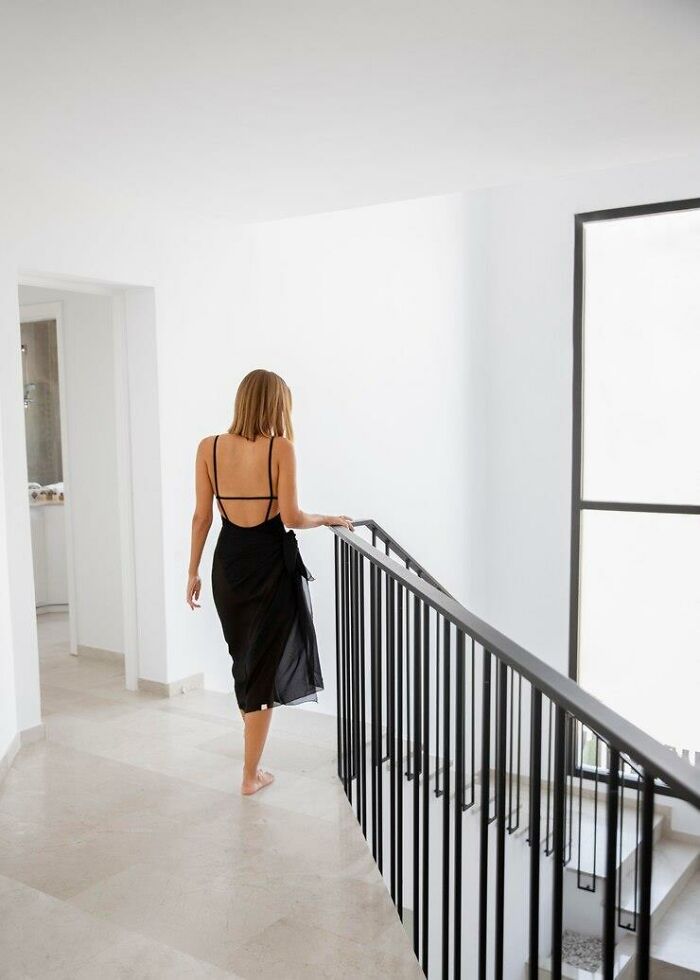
column 260, row 587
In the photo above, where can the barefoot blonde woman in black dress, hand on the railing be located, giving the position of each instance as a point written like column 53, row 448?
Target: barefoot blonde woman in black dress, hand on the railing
column 259, row 581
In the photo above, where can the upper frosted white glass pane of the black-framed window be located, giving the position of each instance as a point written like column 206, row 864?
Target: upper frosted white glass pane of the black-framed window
column 641, row 359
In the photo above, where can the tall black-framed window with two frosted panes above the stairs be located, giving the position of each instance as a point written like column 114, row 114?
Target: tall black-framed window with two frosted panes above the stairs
column 635, row 615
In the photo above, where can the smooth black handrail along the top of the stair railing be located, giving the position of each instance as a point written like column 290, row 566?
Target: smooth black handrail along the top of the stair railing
column 657, row 759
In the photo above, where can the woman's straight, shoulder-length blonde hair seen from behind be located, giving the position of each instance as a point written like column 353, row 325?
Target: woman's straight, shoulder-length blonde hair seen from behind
column 263, row 406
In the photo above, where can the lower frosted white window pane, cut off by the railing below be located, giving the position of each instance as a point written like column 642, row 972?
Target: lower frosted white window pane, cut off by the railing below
column 639, row 643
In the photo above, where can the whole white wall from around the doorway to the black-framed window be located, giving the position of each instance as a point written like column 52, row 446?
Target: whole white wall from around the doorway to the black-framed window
column 376, row 317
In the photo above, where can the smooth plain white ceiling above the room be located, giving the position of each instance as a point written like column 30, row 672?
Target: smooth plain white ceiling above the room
column 261, row 109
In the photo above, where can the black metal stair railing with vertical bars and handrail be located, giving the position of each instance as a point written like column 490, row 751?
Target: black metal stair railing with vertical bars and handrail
column 443, row 719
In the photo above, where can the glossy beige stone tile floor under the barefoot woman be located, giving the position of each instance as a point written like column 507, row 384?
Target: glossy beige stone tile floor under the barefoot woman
column 126, row 850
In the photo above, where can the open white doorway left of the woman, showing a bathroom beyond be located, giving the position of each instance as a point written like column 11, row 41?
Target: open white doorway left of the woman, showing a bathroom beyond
column 79, row 466
